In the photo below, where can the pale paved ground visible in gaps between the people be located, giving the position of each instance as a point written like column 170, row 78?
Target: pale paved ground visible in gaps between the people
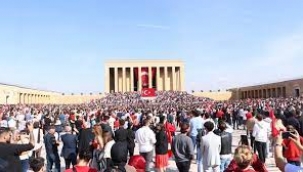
column 172, row 167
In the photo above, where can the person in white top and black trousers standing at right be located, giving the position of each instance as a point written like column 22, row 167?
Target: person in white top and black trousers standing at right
column 260, row 132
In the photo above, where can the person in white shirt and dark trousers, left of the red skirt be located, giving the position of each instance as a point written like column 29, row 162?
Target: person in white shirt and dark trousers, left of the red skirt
column 146, row 139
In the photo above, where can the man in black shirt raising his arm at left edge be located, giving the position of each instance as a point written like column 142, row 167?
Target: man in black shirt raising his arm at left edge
column 10, row 153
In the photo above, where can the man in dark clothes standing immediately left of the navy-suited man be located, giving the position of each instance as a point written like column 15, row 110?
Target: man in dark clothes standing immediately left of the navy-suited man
column 51, row 148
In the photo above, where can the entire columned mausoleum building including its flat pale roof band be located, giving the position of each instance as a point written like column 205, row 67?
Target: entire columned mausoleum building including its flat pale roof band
column 134, row 75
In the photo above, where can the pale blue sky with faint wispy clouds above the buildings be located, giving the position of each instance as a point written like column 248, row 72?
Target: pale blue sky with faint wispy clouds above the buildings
column 62, row 45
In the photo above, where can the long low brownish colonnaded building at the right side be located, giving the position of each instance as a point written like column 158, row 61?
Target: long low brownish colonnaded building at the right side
column 290, row 88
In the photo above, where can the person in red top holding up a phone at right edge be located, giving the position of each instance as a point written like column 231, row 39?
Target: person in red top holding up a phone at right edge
column 291, row 152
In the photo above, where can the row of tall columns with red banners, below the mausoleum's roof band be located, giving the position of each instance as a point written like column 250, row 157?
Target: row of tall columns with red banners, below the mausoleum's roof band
column 126, row 79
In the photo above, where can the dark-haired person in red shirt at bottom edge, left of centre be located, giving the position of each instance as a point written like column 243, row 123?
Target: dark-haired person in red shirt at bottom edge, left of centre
column 83, row 163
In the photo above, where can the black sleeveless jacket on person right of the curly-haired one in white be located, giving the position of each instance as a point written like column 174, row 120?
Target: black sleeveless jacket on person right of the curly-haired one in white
column 226, row 142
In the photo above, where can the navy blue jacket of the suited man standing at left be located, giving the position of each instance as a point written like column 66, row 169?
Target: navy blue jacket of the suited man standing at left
column 69, row 145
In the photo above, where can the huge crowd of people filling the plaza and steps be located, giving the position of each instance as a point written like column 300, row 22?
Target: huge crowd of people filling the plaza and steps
column 101, row 135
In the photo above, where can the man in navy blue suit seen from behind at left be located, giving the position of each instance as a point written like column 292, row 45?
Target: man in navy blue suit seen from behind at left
column 69, row 150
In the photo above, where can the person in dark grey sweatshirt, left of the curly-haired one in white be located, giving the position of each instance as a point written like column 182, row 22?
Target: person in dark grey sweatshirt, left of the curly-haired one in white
column 183, row 149
